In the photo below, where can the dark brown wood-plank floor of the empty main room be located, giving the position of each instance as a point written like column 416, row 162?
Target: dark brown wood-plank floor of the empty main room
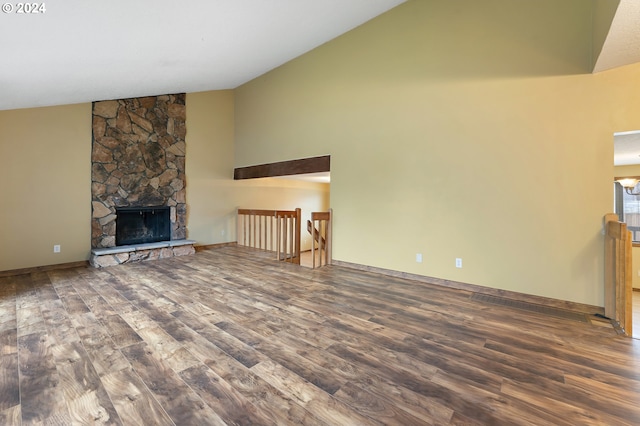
column 221, row 338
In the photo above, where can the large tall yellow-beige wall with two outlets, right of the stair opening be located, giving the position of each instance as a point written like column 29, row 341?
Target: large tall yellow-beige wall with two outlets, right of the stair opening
column 457, row 129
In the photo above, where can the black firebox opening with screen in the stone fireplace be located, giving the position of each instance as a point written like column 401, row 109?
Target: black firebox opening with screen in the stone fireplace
column 139, row 225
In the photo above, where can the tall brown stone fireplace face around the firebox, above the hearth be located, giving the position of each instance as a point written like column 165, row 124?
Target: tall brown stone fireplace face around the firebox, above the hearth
column 137, row 161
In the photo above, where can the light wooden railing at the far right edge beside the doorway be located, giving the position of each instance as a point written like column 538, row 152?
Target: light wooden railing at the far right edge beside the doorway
column 618, row 297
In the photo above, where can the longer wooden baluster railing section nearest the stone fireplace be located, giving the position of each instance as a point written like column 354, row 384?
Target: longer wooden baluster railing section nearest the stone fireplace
column 271, row 230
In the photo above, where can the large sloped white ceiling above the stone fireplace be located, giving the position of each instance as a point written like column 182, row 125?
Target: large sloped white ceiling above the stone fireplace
column 87, row 50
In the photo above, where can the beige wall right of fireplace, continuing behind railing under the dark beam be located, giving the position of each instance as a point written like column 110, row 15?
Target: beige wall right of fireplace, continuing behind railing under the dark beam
column 212, row 194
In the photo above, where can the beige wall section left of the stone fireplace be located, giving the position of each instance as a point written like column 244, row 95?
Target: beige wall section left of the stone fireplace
column 46, row 185
